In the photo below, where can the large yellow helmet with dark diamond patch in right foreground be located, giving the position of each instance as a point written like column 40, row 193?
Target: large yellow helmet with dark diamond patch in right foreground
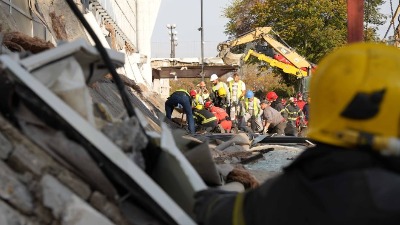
column 355, row 91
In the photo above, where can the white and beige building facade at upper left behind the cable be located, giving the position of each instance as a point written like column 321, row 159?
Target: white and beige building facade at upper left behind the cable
column 123, row 25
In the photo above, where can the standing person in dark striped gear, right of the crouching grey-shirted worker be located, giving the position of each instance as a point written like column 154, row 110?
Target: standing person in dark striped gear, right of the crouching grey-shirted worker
column 292, row 112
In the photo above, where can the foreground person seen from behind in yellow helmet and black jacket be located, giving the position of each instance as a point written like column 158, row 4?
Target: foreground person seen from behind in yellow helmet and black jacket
column 352, row 175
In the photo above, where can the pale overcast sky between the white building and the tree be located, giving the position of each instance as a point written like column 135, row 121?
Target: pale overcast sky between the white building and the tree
column 186, row 15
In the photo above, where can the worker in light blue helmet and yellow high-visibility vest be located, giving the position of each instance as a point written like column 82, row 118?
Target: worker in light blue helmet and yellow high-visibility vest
column 250, row 113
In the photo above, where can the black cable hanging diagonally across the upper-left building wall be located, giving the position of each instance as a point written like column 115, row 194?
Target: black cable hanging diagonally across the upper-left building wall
column 106, row 58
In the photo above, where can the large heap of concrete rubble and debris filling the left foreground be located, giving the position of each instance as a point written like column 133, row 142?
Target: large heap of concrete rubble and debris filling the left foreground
column 51, row 173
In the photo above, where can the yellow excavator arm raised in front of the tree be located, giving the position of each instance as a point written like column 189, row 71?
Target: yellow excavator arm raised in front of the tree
column 269, row 48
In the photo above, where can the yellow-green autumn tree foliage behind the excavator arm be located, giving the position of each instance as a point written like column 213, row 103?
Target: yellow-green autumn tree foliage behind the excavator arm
column 312, row 28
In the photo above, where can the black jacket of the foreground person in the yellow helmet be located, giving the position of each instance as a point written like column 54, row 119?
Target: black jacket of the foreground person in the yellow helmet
column 324, row 185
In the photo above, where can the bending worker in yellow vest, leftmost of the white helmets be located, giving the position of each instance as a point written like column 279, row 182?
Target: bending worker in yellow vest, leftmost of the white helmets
column 220, row 92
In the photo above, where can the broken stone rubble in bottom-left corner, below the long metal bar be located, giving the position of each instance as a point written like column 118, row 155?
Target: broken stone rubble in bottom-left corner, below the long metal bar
column 29, row 178
